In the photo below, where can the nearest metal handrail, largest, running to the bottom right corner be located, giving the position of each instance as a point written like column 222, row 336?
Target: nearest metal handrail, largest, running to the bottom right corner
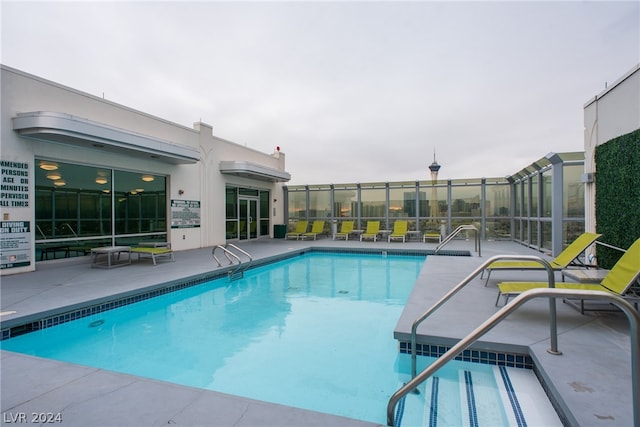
column 552, row 293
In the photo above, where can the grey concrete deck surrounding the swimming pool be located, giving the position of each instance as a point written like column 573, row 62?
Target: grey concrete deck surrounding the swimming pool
column 591, row 380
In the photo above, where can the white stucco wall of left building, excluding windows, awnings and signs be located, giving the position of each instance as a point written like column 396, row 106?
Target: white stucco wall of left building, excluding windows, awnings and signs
column 201, row 181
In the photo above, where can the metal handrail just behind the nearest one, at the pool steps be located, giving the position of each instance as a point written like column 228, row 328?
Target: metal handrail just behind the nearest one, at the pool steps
column 477, row 271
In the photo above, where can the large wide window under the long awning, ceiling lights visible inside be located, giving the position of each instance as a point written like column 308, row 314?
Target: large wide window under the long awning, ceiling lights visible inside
column 79, row 207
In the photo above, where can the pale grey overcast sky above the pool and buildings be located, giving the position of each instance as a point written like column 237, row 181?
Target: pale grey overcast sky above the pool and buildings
column 350, row 91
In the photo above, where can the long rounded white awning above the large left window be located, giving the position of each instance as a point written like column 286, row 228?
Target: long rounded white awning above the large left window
column 67, row 129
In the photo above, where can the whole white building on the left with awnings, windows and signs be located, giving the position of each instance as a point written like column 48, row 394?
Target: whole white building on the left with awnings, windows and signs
column 79, row 171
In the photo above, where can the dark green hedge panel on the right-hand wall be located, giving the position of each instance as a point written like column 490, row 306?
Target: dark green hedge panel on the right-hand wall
column 617, row 195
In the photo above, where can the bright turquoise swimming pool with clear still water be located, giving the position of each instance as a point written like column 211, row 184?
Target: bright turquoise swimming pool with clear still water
column 314, row 332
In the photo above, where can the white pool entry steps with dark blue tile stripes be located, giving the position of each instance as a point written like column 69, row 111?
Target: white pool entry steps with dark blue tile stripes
column 497, row 396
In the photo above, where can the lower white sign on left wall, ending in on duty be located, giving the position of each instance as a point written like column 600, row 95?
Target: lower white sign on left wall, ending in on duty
column 15, row 244
